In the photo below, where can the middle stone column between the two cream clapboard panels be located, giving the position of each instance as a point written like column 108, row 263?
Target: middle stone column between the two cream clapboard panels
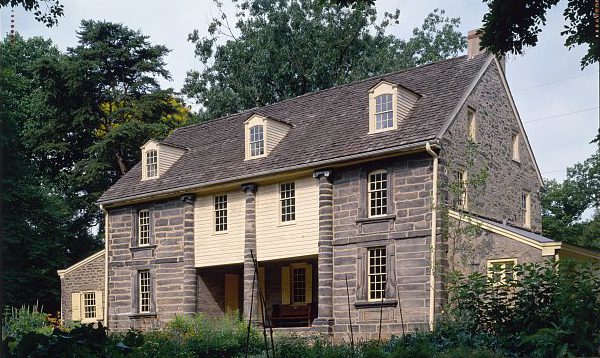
column 250, row 297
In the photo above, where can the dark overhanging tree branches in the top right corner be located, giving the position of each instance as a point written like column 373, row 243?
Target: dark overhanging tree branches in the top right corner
column 511, row 25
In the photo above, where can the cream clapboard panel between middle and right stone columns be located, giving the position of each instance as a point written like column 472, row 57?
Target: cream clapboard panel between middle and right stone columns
column 276, row 240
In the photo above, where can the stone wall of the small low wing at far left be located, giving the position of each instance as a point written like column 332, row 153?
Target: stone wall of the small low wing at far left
column 88, row 277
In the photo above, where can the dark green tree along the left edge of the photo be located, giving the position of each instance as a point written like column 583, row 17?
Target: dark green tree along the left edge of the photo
column 41, row 232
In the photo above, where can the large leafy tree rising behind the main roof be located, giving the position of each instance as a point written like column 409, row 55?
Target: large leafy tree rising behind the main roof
column 282, row 49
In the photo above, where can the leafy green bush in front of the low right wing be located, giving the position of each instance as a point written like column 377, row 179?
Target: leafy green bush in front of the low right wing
column 551, row 309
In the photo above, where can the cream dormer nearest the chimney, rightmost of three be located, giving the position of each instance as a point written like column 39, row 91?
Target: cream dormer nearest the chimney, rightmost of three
column 389, row 105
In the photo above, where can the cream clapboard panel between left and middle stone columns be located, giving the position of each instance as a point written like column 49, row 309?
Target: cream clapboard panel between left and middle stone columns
column 212, row 248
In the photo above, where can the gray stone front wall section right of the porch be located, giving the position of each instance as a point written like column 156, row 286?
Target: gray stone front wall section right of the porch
column 406, row 234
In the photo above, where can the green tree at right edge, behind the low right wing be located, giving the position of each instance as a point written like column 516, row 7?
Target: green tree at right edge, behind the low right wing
column 563, row 205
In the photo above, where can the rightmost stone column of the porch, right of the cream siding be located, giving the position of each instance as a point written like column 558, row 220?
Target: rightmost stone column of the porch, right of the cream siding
column 324, row 321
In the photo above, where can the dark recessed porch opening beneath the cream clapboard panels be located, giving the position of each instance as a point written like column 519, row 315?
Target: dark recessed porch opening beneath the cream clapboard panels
column 289, row 287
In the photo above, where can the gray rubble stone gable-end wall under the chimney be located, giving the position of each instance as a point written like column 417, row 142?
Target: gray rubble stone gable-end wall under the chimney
column 496, row 124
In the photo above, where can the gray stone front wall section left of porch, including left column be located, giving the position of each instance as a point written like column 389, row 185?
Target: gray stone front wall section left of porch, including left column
column 169, row 258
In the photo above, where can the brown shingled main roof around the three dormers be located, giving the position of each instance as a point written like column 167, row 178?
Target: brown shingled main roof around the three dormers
column 326, row 125
